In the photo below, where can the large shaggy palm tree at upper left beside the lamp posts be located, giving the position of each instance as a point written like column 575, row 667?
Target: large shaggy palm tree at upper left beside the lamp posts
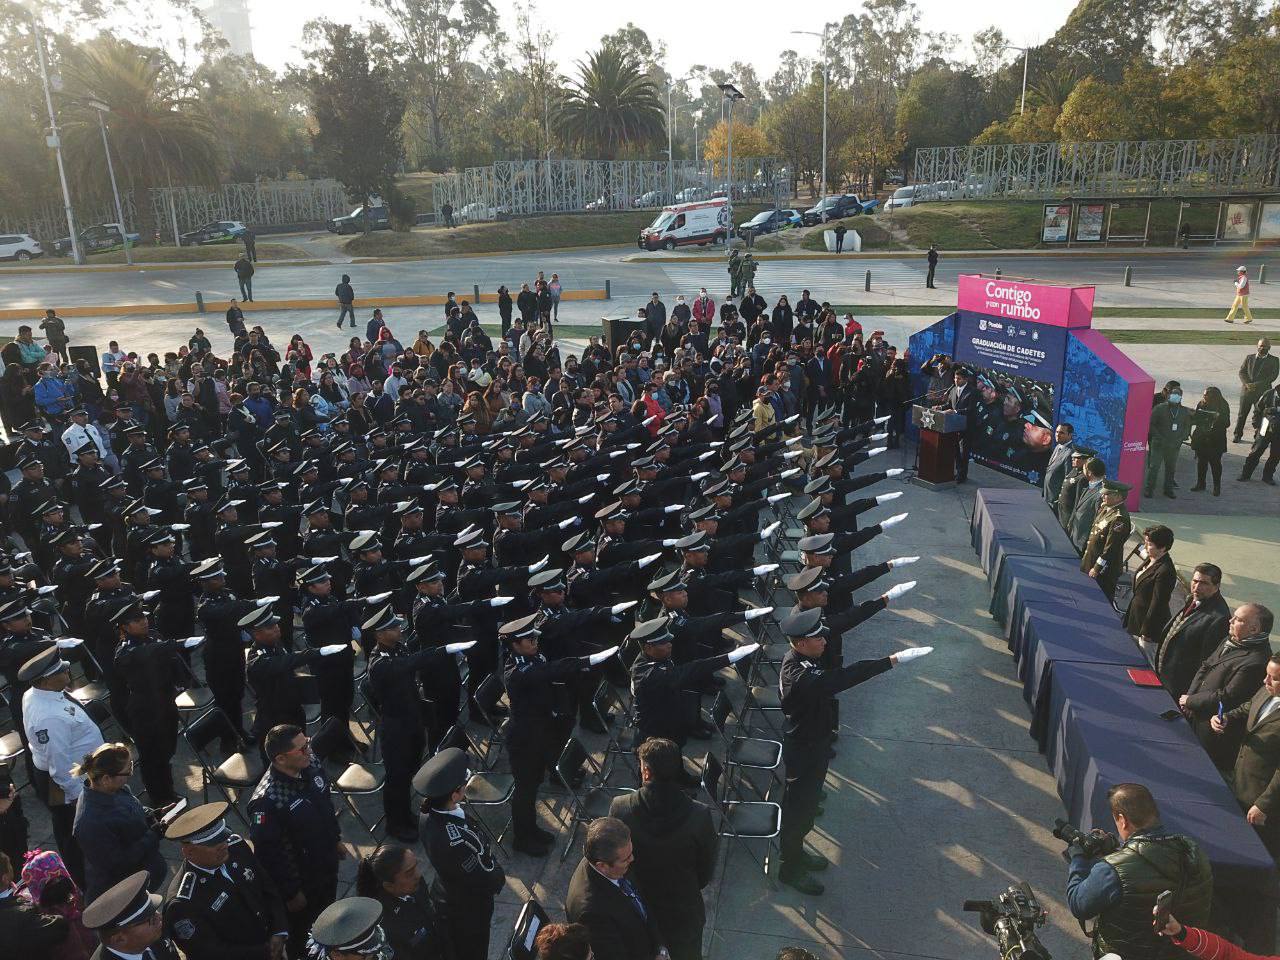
column 159, row 136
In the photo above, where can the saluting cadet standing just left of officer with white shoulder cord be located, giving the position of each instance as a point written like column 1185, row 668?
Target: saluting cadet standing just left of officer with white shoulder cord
column 394, row 693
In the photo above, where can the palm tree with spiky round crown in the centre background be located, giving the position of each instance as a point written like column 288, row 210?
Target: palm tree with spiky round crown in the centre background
column 614, row 106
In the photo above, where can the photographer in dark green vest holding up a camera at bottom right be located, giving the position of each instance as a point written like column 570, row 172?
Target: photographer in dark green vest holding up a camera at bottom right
column 1119, row 890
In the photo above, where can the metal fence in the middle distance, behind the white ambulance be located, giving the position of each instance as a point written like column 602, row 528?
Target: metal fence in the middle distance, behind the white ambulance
column 525, row 188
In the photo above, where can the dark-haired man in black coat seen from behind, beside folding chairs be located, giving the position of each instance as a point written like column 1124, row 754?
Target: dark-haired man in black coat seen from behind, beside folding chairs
column 675, row 845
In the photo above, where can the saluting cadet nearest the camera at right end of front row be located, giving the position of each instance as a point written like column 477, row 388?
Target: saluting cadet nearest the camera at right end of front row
column 808, row 694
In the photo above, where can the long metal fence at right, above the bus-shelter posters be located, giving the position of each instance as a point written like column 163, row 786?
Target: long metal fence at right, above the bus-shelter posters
column 1105, row 170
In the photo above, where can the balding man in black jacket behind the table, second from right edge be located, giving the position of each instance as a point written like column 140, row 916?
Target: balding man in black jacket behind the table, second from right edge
column 1228, row 679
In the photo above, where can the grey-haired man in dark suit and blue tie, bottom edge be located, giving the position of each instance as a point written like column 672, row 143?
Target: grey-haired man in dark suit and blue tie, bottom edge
column 602, row 899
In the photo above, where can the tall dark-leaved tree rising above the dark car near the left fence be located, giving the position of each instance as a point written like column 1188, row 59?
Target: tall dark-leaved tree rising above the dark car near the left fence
column 358, row 112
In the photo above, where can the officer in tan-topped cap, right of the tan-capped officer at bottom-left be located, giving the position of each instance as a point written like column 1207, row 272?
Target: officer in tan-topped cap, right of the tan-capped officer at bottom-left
column 222, row 904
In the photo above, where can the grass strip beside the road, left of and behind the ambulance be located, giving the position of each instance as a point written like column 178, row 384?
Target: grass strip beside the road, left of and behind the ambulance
column 527, row 234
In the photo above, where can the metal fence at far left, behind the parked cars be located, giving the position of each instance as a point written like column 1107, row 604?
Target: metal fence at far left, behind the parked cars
column 267, row 204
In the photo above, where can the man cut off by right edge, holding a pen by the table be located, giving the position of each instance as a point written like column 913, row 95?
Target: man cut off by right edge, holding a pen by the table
column 1256, row 778
